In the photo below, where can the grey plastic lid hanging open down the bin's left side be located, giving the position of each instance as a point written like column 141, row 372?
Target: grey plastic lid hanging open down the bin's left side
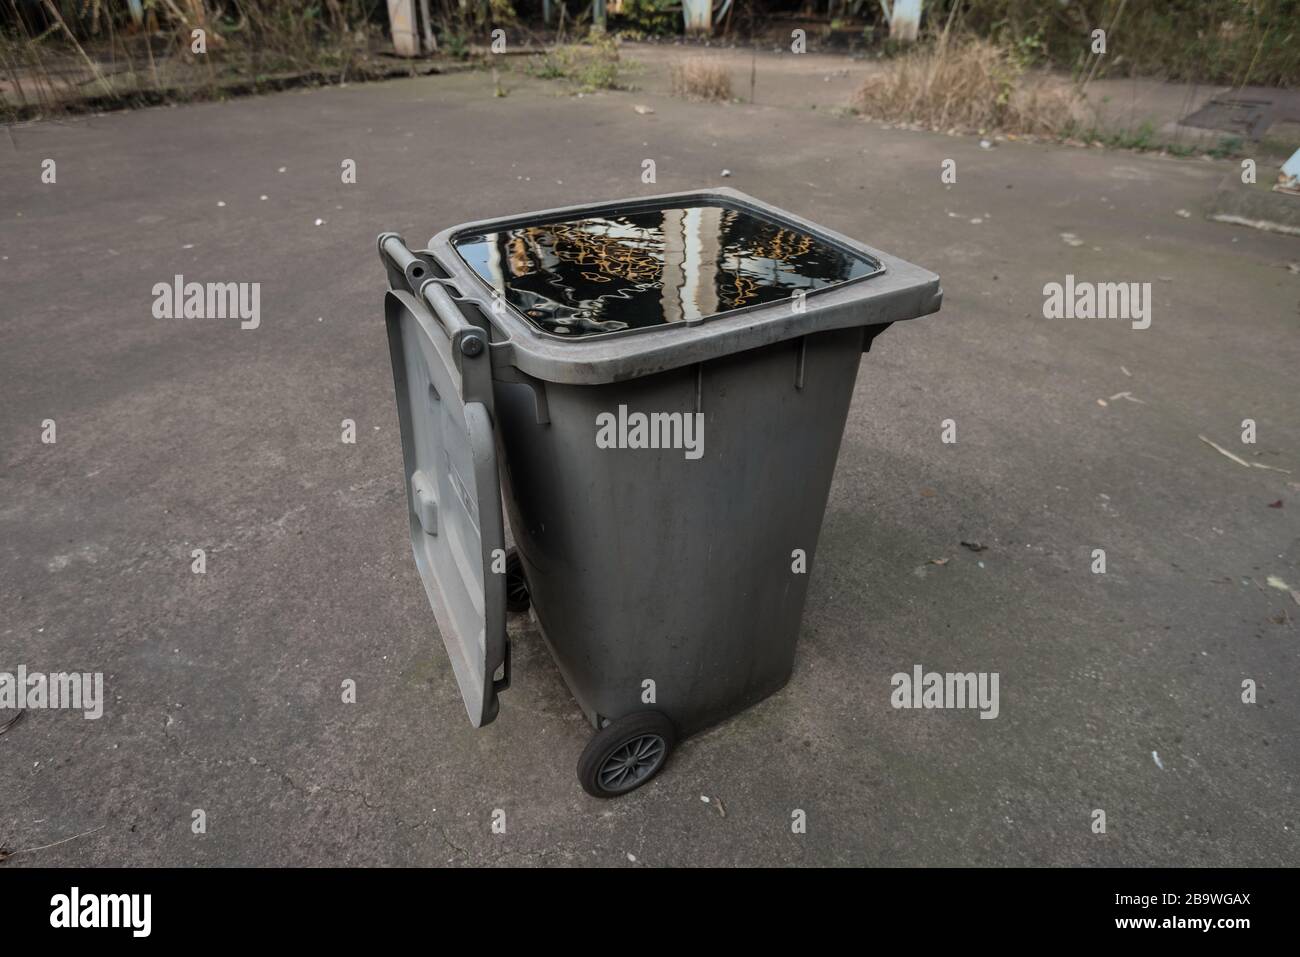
column 454, row 493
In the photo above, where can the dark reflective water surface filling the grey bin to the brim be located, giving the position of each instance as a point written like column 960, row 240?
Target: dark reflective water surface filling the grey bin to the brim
column 621, row 271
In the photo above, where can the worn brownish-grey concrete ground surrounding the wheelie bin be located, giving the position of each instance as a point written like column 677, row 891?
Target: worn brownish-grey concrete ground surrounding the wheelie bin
column 1120, row 692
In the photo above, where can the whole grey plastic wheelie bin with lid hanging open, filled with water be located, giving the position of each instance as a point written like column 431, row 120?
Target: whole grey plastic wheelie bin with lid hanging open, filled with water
column 656, row 389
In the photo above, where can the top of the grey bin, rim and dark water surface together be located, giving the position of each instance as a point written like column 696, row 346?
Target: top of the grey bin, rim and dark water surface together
column 721, row 271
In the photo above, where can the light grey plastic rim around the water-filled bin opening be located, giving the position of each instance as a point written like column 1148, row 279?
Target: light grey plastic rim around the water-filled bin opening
column 896, row 291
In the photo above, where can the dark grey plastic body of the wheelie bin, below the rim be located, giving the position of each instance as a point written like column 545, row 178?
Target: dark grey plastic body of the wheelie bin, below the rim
column 645, row 565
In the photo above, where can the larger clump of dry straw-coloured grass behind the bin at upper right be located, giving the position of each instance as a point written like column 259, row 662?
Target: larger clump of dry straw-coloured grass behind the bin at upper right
column 970, row 85
